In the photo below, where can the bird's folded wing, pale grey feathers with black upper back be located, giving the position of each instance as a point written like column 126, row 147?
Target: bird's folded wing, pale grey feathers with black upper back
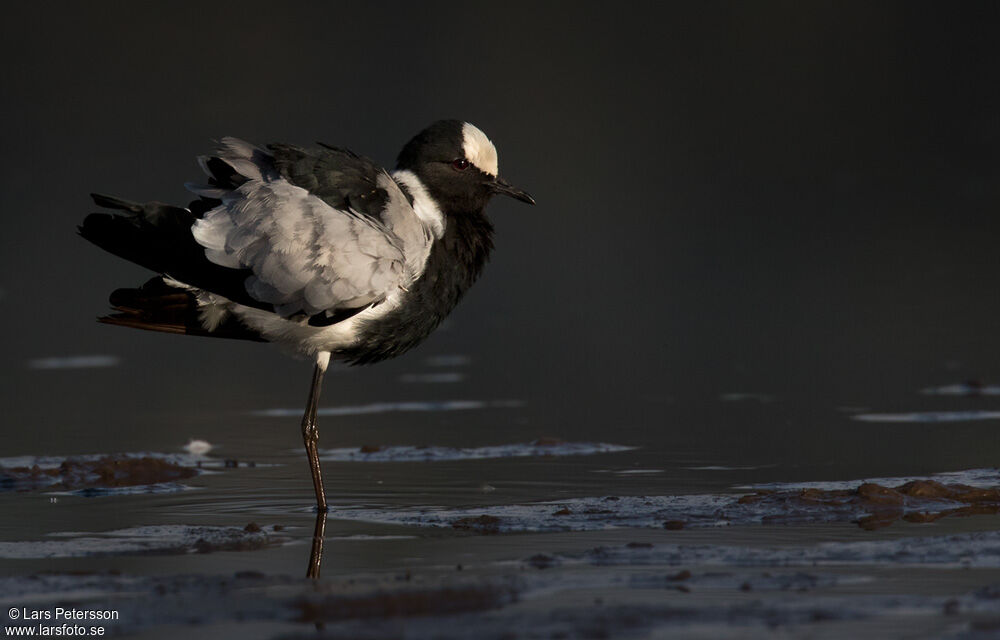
column 323, row 232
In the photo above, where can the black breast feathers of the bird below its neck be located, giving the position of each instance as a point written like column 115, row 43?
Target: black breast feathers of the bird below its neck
column 455, row 261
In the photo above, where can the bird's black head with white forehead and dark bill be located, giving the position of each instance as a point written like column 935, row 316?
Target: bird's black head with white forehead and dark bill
column 457, row 164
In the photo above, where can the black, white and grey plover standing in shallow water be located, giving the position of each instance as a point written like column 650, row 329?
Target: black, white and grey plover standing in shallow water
column 317, row 250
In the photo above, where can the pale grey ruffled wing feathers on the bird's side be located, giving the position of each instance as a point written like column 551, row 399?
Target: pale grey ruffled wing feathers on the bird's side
column 306, row 256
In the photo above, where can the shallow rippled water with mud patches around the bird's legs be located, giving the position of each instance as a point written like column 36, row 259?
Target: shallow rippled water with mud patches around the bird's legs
column 531, row 536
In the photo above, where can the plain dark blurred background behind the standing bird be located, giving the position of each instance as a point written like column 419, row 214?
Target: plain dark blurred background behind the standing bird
column 791, row 198
